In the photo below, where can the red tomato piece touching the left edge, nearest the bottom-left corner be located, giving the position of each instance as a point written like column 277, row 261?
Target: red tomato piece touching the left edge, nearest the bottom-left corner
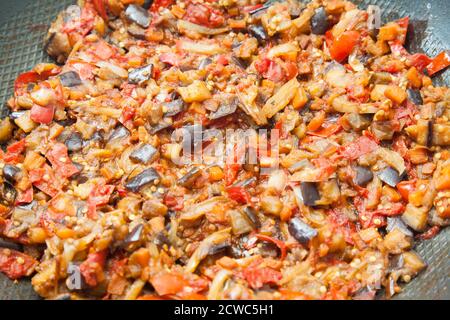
column 15, row 264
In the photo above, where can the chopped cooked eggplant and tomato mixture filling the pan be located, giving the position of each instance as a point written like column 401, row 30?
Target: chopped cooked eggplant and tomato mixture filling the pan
column 94, row 204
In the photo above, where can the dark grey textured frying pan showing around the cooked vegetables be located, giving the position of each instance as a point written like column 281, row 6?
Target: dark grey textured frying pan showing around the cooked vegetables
column 23, row 24
